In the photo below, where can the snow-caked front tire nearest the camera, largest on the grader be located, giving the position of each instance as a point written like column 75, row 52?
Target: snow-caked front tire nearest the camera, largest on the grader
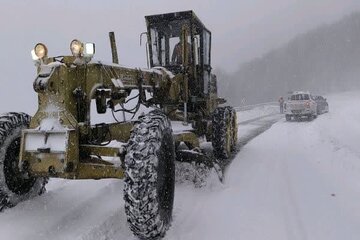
column 150, row 176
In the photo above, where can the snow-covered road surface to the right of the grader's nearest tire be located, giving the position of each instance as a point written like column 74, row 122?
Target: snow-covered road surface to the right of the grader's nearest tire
column 295, row 181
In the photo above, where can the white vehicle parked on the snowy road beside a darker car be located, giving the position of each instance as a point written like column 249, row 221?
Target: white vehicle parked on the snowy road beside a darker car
column 300, row 104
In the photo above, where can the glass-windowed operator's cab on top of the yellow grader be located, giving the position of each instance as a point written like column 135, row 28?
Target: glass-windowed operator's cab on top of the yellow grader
column 180, row 42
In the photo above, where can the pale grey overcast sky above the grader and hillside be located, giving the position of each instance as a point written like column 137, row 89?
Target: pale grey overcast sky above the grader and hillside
column 242, row 29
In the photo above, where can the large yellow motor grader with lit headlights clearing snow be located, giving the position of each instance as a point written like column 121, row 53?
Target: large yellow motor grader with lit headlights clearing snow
column 60, row 141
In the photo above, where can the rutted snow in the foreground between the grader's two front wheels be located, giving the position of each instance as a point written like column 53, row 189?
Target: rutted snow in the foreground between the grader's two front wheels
column 70, row 210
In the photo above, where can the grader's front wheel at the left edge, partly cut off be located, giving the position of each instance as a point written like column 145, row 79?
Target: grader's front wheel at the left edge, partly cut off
column 15, row 186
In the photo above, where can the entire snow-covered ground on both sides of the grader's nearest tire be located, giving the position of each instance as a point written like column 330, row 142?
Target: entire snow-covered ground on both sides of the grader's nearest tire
column 297, row 180
